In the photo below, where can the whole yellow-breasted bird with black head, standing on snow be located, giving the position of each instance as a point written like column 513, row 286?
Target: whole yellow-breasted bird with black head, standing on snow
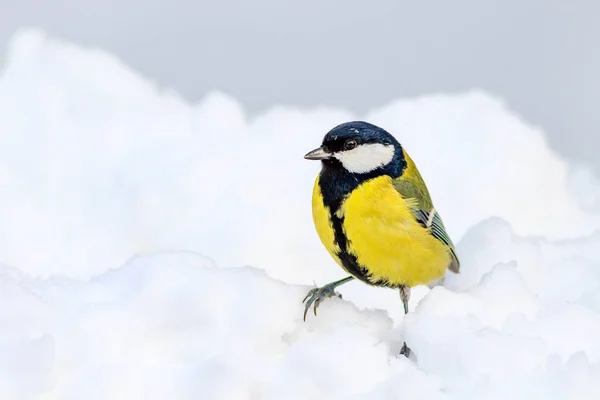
column 374, row 215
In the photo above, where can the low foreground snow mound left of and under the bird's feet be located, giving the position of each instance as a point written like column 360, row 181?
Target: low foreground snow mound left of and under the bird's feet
column 172, row 325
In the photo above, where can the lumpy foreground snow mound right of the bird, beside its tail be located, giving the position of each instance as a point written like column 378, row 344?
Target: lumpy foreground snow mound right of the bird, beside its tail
column 521, row 321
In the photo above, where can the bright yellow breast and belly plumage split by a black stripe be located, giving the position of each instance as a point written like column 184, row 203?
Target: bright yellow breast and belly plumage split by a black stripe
column 383, row 235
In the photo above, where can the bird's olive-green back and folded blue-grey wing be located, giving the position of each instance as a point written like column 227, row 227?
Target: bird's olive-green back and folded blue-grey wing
column 411, row 186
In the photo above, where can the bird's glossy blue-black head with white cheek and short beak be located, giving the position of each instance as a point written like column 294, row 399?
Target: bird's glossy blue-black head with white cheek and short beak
column 360, row 148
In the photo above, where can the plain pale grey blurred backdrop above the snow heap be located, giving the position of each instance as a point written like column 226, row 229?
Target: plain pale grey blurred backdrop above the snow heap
column 541, row 56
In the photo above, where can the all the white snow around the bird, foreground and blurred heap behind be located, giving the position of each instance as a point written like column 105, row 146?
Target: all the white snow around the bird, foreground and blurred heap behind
column 153, row 248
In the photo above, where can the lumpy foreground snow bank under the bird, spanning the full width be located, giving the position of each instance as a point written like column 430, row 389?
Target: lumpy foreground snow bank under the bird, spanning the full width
column 524, row 324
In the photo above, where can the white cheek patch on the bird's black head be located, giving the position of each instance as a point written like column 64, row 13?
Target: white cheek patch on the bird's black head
column 366, row 157
